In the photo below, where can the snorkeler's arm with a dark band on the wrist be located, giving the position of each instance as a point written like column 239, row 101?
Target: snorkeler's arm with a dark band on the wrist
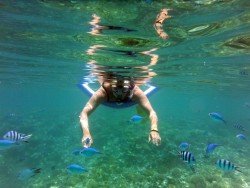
column 143, row 101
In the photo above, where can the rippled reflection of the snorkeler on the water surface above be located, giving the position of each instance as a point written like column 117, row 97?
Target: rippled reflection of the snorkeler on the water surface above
column 105, row 62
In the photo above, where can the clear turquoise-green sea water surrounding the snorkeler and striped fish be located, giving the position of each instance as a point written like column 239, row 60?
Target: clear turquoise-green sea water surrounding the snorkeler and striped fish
column 203, row 67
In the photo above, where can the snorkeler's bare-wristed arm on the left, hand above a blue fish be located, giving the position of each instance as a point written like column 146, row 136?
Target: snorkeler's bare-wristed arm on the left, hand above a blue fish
column 90, row 106
